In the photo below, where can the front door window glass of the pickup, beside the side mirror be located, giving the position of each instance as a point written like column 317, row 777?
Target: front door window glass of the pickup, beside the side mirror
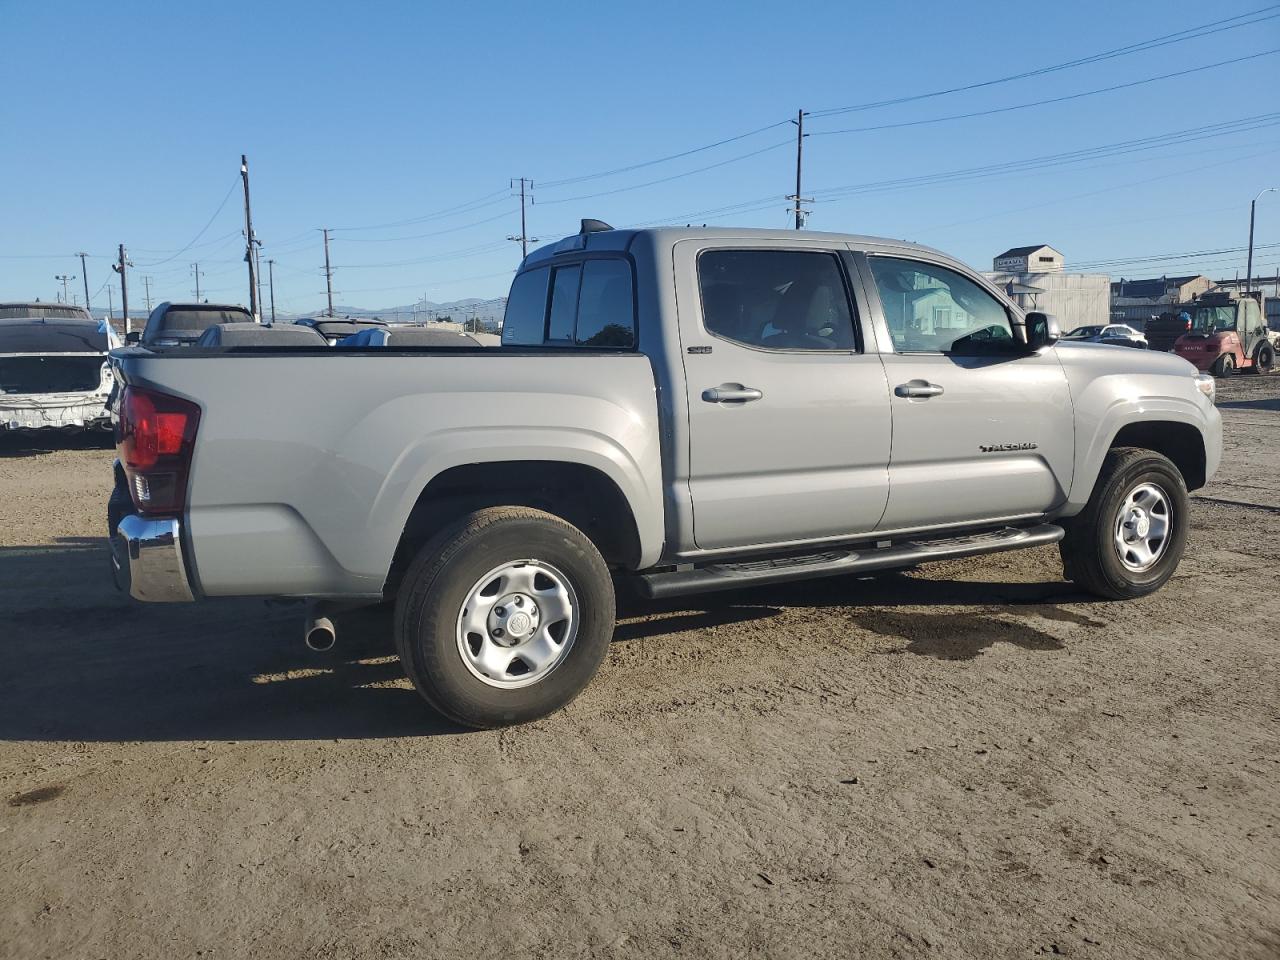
column 930, row 309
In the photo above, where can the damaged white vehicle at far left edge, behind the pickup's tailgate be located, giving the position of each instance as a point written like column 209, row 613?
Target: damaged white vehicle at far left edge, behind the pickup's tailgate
column 54, row 371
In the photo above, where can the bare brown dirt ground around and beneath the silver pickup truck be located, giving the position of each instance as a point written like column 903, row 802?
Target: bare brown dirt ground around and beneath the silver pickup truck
column 971, row 761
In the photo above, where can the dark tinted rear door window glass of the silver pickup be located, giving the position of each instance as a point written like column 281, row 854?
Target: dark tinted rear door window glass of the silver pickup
column 778, row 300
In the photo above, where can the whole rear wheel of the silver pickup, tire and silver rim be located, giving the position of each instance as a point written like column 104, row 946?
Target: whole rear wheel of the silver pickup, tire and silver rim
column 505, row 618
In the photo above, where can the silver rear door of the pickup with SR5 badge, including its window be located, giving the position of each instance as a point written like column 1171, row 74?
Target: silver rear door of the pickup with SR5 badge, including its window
column 789, row 419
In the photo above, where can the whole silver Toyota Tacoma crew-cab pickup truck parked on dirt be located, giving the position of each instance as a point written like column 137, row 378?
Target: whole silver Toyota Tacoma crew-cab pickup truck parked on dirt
column 674, row 410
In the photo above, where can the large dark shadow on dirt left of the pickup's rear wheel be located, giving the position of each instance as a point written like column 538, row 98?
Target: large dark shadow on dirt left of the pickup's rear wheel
column 81, row 662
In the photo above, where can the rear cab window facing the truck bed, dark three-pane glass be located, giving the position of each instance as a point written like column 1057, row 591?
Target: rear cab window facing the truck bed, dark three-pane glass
column 583, row 304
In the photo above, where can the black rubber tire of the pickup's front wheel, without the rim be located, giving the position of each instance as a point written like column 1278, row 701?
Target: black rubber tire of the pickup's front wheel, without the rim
column 1090, row 554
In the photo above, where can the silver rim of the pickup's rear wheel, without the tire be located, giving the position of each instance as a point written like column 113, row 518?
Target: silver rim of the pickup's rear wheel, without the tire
column 518, row 624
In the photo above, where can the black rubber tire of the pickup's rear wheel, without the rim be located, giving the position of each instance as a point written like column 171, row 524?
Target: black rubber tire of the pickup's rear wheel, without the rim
column 446, row 574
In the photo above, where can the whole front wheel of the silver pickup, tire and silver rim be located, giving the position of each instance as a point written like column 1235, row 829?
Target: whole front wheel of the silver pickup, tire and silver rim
column 1130, row 538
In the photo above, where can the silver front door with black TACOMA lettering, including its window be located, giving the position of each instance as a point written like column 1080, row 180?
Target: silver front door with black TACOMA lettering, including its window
column 982, row 429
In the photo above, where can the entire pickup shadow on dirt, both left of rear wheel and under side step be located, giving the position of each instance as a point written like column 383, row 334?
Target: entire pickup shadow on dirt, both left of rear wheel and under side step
column 81, row 662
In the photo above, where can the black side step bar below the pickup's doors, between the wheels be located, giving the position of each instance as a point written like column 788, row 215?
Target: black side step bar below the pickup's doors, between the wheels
column 835, row 563
